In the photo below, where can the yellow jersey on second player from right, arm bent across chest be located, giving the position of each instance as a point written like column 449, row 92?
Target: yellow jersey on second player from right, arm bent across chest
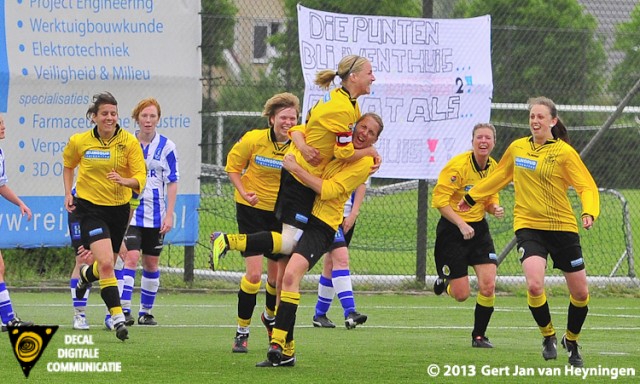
column 457, row 177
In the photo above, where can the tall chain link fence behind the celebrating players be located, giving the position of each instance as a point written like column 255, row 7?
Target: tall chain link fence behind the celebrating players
column 582, row 54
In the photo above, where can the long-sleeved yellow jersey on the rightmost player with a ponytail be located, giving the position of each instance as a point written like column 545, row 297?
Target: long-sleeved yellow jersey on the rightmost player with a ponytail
column 541, row 176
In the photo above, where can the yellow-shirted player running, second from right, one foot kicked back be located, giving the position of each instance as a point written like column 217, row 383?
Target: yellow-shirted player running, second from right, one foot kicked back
column 463, row 238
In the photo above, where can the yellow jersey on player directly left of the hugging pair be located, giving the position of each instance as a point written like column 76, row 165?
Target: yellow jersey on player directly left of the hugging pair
column 259, row 156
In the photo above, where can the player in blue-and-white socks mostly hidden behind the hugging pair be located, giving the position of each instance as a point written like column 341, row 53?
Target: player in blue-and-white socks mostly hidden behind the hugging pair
column 335, row 278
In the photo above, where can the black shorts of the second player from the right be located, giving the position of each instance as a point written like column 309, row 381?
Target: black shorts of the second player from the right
column 453, row 254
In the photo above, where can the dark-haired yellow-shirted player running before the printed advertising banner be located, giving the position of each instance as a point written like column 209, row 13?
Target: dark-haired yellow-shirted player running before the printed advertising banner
column 110, row 168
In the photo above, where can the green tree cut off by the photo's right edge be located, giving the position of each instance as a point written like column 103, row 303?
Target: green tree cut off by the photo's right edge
column 627, row 72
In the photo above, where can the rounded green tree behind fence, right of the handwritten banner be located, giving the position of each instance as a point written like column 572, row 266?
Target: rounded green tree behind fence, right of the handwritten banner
column 541, row 48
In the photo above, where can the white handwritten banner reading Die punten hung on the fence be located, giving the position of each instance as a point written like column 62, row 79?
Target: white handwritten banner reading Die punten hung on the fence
column 433, row 81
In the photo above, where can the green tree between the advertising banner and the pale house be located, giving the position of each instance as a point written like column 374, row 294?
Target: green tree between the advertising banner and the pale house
column 218, row 21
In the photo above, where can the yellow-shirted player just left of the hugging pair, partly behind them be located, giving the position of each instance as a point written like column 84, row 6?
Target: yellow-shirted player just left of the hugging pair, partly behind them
column 254, row 167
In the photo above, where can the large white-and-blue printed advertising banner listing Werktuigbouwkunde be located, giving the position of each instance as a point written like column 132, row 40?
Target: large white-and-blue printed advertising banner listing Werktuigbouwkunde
column 54, row 56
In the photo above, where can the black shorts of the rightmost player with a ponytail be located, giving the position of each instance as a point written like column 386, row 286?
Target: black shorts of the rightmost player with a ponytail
column 563, row 247
